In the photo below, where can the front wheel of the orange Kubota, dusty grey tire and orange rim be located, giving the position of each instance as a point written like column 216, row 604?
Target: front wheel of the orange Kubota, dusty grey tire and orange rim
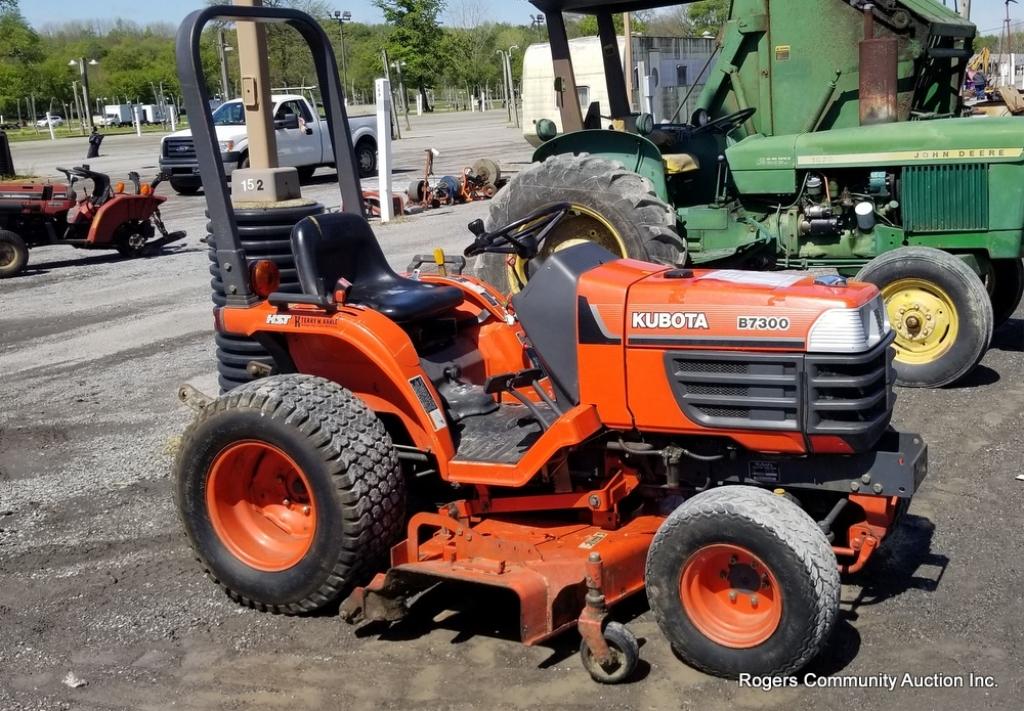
column 743, row 581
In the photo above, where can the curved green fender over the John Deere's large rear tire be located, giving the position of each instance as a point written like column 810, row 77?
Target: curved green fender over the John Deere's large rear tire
column 633, row 152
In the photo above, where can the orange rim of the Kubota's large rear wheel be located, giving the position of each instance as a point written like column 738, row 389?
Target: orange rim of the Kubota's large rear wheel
column 261, row 506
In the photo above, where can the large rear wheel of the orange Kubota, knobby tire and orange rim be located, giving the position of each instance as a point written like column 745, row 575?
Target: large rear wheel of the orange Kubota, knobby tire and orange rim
column 290, row 491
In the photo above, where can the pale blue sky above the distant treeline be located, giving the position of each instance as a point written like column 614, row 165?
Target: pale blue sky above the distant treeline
column 987, row 14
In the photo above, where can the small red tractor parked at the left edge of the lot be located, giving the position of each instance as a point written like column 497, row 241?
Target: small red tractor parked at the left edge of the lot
column 33, row 215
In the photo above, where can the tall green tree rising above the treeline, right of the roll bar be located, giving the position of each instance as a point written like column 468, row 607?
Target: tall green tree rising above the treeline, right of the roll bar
column 415, row 40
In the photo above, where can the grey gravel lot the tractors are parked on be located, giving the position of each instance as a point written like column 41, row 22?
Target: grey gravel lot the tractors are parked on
column 97, row 579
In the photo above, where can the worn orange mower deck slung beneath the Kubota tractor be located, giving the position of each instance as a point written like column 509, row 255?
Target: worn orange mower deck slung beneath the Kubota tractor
column 543, row 562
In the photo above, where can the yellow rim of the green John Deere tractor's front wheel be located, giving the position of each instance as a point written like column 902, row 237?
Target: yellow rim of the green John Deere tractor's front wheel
column 924, row 318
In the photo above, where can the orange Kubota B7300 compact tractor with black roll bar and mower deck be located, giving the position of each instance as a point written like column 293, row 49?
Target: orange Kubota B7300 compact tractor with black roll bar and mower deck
column 719, row 439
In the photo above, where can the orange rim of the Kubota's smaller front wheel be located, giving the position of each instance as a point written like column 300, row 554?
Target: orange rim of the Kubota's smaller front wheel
column 732, row 596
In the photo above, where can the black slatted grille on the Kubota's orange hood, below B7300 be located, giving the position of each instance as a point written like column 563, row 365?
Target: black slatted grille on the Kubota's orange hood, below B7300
column 845, row 395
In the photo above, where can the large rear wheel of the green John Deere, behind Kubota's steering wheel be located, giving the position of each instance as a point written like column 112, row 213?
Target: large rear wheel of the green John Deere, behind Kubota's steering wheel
column 612, row 206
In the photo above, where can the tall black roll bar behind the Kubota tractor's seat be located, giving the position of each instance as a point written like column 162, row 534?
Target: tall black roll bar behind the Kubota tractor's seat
column 231, row 258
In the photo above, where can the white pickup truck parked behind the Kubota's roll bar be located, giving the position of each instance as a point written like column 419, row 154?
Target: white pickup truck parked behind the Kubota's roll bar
column 304, row 142
